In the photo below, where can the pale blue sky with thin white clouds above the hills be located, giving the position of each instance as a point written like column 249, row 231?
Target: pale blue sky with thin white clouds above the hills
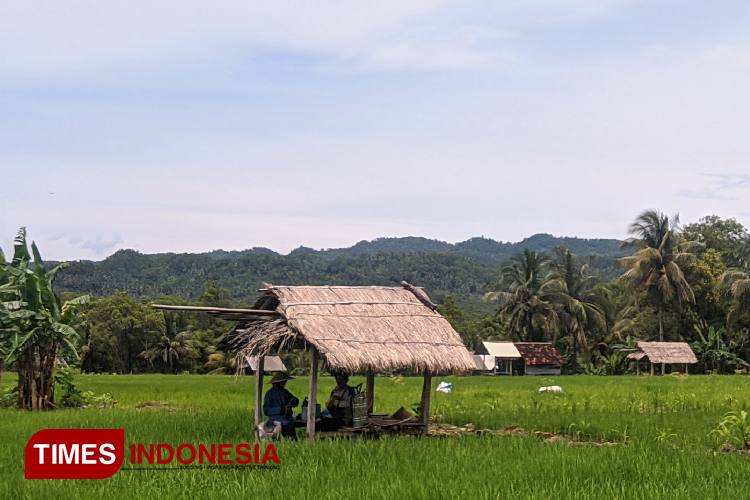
column 188, row 126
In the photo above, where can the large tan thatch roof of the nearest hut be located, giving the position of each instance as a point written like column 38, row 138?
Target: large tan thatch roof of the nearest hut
column 359, row 328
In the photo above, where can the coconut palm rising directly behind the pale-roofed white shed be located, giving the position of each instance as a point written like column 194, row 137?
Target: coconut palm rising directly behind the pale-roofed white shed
column 523, row 297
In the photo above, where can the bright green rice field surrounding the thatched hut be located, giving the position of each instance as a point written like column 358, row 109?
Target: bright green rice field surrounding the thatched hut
column 213, row 409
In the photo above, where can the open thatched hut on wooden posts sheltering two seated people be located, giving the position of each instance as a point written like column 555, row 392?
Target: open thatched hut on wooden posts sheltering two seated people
column 354, row 329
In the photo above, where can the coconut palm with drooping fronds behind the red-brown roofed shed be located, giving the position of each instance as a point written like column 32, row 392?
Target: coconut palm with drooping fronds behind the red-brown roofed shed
column 579, row 297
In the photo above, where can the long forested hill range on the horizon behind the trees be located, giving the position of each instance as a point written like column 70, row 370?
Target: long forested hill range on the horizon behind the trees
column 464, row 269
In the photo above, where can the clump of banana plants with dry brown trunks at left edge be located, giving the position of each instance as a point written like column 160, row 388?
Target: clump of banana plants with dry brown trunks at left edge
column 39, row 326
